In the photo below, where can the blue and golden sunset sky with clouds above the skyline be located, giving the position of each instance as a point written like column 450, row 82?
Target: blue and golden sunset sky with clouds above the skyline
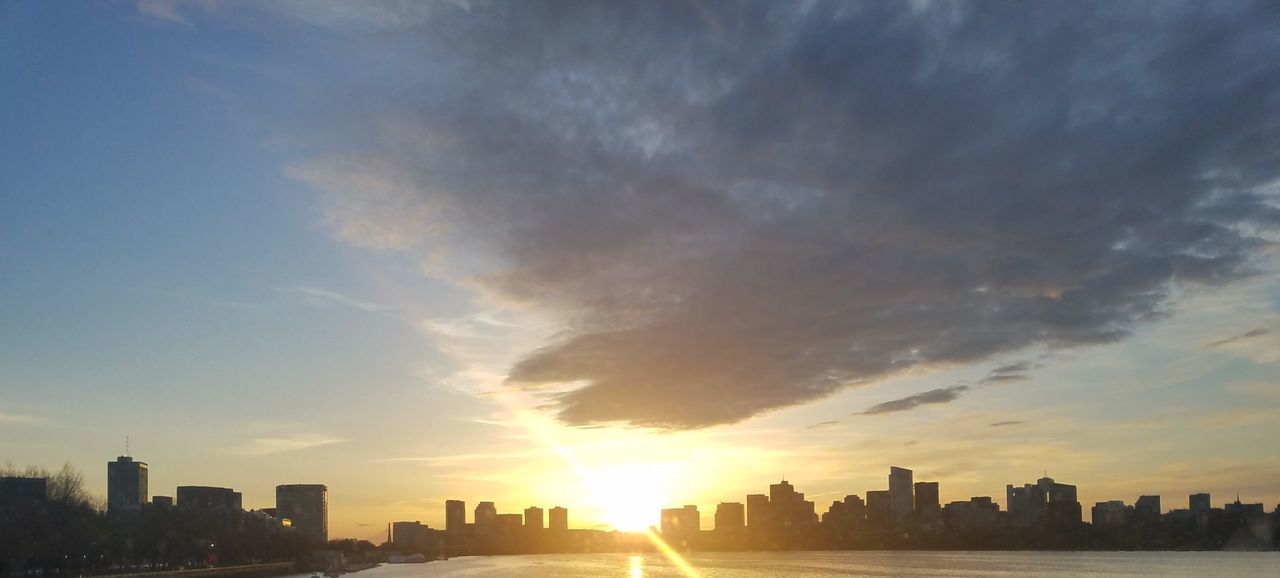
column 619, row 258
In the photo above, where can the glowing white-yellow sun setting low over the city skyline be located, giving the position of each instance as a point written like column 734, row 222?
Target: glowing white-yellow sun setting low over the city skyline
column 630, row 497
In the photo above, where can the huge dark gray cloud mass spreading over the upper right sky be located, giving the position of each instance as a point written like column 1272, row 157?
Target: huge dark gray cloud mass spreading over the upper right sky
column 744, row 207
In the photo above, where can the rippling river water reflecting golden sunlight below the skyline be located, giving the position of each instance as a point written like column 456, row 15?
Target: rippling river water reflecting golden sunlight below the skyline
column 851, row 565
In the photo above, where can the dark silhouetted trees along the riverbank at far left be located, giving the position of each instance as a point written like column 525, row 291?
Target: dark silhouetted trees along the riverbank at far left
column 67, row 534
